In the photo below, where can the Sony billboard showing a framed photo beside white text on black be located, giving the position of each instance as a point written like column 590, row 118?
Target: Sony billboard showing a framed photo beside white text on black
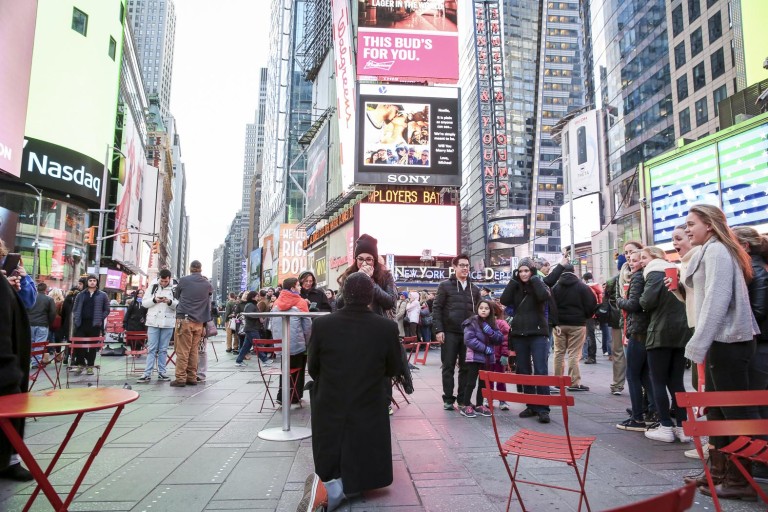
column 408, row 135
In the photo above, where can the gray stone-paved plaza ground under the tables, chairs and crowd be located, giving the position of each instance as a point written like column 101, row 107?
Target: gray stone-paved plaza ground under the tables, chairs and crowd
column 196, row 448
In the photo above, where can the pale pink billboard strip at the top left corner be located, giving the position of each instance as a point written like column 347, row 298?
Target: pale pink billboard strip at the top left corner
column 17, row 35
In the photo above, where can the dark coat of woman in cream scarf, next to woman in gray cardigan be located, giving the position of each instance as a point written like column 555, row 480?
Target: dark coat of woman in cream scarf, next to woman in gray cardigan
column 667, row 320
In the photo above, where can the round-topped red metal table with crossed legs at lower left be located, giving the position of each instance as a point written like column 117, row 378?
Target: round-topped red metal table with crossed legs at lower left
column 57, row 403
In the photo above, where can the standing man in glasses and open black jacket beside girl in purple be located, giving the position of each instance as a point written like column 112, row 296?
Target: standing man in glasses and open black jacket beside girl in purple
column 456, row 300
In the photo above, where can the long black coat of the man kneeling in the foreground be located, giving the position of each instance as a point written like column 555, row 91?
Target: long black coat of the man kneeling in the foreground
column 351, row 355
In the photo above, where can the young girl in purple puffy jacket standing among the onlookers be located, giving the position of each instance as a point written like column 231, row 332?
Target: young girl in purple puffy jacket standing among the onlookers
column 481, row 336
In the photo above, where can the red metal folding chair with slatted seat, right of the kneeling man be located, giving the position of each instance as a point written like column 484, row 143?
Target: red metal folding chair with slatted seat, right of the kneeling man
column 538, row 445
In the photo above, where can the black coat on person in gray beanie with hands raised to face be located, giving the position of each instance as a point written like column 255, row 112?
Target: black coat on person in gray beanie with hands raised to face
column 529, row 303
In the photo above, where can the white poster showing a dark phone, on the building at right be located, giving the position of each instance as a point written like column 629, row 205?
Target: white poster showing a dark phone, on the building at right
column 583, row 163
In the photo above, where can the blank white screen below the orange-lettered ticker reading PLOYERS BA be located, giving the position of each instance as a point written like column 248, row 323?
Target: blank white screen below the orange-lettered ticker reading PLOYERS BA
column 434, row 228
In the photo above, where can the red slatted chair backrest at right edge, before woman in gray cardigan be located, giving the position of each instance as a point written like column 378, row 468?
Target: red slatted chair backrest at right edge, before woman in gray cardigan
column 691, row 427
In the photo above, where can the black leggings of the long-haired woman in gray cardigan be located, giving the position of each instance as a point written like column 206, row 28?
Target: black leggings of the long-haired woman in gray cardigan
column 727, row 369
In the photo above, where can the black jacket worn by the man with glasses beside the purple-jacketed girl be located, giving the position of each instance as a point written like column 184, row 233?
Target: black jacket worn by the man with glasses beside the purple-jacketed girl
column 454, row 304
